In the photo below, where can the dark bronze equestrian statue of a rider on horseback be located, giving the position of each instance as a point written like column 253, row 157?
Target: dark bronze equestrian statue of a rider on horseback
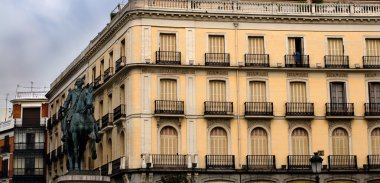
column 78, row 125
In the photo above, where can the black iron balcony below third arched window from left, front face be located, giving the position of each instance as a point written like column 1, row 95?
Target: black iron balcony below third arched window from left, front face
column 261, row 162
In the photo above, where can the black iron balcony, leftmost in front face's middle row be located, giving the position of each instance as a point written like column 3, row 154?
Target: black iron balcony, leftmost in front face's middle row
column 168, row 107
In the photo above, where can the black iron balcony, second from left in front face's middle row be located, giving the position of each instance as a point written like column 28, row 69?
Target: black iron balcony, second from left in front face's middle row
column 218, row 108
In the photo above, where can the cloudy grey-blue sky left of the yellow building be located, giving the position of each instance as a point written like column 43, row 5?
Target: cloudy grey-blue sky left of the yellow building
column 39, row 38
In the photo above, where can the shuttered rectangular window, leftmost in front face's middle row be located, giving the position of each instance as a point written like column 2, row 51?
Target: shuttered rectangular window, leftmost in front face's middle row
column 168, row 89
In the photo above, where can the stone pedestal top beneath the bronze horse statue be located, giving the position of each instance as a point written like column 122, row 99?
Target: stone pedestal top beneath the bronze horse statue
column 83, row 176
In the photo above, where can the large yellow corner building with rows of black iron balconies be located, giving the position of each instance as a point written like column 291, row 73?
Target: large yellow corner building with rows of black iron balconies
column 226, row 91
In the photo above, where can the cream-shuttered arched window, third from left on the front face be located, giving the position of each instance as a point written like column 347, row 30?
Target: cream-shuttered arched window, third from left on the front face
column 259, row 142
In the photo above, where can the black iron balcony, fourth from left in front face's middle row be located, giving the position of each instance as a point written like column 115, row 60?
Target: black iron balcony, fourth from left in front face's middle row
column 299, row 109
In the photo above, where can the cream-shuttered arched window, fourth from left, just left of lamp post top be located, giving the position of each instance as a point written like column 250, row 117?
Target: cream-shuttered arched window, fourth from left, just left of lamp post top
column 300, row 142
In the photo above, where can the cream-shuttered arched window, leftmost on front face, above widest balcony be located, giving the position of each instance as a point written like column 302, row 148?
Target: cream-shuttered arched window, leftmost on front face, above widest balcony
column 168, row 140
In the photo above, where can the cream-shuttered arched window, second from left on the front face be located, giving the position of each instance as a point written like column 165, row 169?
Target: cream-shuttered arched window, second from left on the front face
column 218, row 141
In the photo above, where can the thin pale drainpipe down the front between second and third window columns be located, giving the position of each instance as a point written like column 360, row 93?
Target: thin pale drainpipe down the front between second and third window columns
column 237, row 92
